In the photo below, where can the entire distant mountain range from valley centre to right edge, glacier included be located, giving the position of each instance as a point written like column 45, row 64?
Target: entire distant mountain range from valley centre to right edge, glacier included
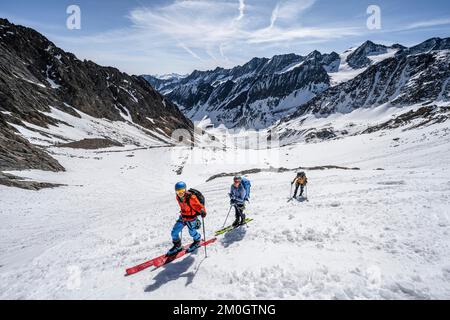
column 264, row 91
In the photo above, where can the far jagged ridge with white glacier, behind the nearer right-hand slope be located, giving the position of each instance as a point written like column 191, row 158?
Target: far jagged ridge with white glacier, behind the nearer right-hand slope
column 259, row 93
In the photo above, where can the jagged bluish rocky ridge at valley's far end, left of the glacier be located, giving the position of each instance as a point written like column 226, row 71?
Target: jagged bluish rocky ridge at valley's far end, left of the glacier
column 253, row 95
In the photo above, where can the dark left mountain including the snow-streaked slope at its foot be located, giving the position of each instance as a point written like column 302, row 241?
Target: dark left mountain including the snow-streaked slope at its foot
column 44, row 91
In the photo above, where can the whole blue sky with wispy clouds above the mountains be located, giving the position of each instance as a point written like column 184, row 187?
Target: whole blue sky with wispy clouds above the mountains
column 179, row 36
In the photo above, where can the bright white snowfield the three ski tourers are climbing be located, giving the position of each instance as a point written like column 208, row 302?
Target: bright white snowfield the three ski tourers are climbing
column 381, row 232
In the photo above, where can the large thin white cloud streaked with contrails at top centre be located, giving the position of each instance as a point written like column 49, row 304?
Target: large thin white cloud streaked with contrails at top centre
column 205, row 24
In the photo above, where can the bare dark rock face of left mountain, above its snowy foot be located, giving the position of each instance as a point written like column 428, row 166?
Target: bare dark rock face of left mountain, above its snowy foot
column 36, row 74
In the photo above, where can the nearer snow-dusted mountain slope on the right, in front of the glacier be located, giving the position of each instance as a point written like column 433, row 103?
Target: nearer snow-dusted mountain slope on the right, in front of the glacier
column 415, row 83
